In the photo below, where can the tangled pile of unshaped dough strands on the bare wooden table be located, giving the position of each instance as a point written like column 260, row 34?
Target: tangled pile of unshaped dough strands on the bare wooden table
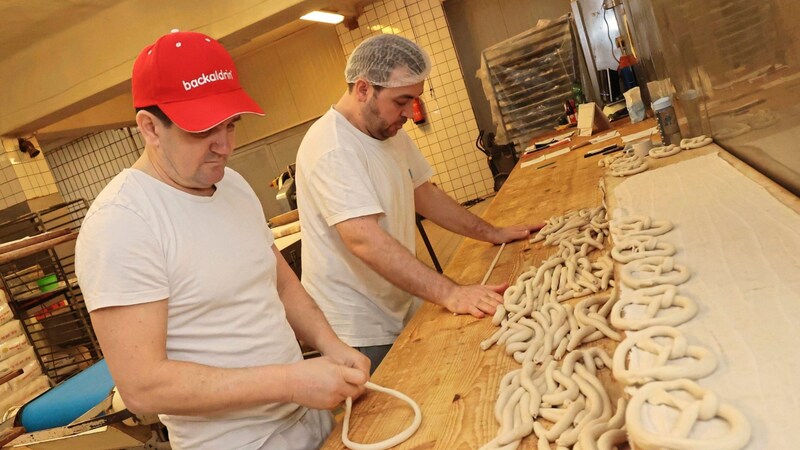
column 558, row 382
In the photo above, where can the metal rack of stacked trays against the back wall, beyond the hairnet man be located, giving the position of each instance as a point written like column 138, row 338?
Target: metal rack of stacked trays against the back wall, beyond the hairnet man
column 531, row 75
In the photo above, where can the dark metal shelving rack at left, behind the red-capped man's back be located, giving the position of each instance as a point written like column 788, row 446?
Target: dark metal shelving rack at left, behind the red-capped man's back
column 53, row 314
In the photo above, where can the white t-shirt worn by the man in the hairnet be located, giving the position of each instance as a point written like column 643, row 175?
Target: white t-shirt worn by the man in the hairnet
column 343, row 173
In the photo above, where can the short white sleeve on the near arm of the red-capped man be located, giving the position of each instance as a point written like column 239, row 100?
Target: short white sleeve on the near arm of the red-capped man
column 118, row 260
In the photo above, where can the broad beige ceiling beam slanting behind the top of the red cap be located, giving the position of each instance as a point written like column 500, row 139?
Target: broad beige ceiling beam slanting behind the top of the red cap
column 83, row 65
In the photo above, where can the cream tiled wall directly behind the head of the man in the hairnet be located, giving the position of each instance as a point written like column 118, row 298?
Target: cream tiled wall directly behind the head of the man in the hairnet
column 448, row 138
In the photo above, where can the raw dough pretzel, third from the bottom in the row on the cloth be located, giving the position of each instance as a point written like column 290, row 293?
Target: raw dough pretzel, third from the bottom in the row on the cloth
column 663, row 306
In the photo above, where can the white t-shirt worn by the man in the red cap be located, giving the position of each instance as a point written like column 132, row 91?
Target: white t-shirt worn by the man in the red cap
column 144, row 241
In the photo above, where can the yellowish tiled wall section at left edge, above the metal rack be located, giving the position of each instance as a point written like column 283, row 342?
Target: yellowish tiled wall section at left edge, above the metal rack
column 22, row 178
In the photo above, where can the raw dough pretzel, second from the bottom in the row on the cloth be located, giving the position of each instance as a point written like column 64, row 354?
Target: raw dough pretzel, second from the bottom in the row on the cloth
column 663, row 368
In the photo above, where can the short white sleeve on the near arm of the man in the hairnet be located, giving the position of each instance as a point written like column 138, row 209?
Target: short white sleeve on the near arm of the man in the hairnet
column 341, row 187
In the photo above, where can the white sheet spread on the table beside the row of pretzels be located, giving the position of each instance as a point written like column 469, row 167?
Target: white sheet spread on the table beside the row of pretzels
column 742, row 247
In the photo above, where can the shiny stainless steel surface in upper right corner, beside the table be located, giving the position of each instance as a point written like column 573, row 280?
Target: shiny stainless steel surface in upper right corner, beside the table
column 742, row 58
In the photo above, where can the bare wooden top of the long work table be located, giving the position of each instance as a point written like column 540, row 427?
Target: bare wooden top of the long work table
column 437, row 360
